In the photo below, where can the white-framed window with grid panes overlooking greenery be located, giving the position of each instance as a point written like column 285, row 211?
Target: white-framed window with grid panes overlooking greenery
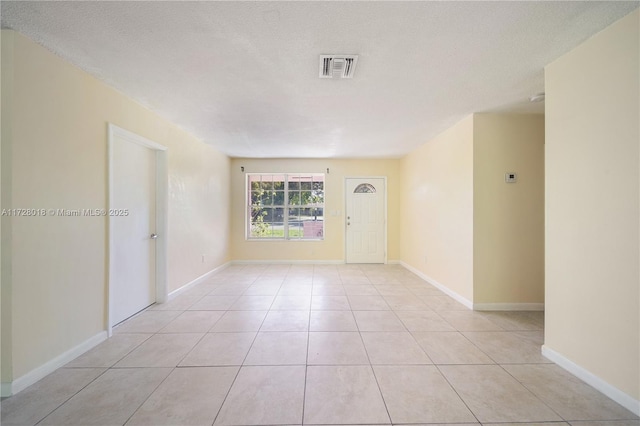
column 285, row 206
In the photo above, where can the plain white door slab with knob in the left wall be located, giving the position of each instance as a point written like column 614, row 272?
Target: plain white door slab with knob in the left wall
column 133, row 228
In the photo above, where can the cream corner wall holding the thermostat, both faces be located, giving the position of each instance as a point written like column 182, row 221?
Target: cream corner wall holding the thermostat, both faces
column 462, row 226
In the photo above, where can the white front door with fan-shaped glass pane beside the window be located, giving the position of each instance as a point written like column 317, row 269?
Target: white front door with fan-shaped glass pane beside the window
column 365, row 220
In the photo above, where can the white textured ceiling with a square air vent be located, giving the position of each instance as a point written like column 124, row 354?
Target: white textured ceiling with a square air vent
column 243, row 76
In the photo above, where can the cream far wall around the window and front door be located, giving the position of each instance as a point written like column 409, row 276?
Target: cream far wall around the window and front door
column 333, row 245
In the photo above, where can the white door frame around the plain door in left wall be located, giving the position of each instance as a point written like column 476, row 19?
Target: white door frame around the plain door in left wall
column 161, row 214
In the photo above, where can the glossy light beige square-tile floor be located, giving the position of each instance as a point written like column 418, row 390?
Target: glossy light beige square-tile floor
column 293, row 345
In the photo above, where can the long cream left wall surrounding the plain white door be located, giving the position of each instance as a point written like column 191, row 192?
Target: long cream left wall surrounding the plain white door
column 56, row 150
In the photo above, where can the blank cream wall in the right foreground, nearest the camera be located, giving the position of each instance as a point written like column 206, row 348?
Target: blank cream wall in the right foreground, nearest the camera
column 592, row 198
